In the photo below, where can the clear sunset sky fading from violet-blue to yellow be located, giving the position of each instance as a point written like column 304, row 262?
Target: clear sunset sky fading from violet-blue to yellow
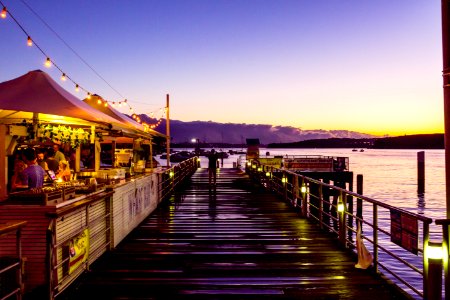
column 367, row 66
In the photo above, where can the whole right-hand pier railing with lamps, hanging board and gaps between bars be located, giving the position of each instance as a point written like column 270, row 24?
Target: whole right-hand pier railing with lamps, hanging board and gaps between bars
column 399, row 241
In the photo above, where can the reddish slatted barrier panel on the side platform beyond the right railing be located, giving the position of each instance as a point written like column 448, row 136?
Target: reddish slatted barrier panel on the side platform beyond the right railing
column 314, row 164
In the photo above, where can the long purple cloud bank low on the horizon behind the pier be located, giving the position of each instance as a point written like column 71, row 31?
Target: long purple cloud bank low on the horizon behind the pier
column 232, row 133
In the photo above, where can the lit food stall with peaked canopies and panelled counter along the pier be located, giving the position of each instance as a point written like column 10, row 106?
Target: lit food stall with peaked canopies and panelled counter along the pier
column 70, row 224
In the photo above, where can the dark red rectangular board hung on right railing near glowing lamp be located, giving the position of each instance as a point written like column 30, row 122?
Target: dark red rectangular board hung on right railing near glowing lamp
column 404, row 231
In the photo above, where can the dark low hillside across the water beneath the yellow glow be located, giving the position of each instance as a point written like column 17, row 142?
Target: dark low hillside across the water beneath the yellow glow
column 418, row 141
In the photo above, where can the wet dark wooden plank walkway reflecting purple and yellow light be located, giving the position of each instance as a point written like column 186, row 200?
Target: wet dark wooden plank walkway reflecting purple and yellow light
column 234, row 242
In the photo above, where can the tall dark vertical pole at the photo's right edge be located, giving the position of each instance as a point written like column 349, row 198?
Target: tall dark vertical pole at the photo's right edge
column 446, row 85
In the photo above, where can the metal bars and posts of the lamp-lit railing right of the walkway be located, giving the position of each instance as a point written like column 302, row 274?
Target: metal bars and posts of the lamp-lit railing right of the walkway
column 289, row 184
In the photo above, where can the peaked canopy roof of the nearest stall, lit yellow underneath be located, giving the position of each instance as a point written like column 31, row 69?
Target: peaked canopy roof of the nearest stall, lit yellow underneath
column 37, row 92
